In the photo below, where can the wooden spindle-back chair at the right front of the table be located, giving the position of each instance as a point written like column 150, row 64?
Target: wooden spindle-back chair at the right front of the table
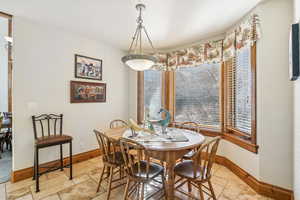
column 197, row 172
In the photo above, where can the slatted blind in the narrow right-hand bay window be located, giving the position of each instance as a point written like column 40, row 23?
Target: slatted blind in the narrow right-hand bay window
column 239, row 91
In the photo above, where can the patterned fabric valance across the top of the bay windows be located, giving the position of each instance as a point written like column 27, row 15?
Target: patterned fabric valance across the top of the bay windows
column 214, row 51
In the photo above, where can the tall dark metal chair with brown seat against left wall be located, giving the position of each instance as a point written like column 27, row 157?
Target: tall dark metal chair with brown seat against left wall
column 50, row 127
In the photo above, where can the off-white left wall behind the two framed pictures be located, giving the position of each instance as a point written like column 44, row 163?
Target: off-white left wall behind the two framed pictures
column 43, row 68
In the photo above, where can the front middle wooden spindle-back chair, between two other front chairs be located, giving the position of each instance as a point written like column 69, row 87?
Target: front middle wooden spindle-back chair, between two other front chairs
column 140, row 171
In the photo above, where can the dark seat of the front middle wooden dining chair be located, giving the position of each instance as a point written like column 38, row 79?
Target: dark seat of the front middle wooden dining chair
column 154, row 170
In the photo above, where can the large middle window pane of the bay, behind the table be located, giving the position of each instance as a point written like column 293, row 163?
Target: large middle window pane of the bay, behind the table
column 197, row 94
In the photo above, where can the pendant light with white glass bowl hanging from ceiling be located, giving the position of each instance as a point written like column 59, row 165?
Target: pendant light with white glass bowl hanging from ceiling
column 136, row 58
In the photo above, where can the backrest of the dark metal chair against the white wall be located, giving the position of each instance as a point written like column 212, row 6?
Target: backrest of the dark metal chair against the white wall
column 47, row 125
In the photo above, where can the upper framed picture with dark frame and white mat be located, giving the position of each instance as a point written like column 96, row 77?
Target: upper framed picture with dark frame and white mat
column 88, row 68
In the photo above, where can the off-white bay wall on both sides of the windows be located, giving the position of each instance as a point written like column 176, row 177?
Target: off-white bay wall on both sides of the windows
column 274, row 162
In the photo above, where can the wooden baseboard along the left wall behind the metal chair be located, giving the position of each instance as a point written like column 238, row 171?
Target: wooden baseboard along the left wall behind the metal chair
column 28, row 172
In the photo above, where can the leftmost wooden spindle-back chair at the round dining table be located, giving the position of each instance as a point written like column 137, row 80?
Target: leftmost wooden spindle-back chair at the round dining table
column 112, row 162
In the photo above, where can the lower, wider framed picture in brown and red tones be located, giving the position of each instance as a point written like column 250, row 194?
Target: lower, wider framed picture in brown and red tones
column 87, row 92
